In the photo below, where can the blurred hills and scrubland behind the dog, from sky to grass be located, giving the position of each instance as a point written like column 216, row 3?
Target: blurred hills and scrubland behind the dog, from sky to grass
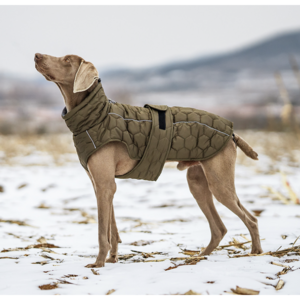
column 238, row 85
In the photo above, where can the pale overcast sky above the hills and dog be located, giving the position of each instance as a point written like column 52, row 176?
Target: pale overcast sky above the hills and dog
column 133, row 36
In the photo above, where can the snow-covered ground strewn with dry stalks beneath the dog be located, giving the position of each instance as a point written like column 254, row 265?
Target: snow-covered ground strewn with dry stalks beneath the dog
column 58, row 205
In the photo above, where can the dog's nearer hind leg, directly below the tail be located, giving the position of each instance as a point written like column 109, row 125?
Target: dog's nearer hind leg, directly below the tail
column 219, row 172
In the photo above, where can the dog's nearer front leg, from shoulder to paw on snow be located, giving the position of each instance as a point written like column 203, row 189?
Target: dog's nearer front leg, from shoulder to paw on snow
column 102, row 175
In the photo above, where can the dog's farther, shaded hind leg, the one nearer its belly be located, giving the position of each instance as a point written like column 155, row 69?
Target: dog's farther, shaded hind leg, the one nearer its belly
column 199, row 188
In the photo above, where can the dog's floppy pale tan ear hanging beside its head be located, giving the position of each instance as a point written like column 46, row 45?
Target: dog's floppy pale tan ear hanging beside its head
column 85, row 77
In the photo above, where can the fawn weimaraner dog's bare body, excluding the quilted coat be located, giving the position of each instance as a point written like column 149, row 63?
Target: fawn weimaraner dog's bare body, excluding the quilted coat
column 214, row 176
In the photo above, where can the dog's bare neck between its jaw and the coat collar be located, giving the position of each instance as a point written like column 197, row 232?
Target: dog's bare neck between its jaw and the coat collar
column 71, row 99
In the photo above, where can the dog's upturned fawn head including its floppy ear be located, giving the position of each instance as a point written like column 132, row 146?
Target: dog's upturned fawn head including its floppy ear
column 69, row 70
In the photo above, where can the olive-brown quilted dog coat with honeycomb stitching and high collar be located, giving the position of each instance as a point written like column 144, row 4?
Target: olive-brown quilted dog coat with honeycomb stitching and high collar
column 152, row 134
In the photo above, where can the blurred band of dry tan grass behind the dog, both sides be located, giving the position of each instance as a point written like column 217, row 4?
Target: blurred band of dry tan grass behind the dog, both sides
column 277, row 146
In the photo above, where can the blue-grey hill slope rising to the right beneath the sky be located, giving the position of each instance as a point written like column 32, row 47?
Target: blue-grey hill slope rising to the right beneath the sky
column 264, row 57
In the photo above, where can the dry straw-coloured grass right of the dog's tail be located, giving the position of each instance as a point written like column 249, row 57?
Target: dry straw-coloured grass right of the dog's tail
column 276, row 150
